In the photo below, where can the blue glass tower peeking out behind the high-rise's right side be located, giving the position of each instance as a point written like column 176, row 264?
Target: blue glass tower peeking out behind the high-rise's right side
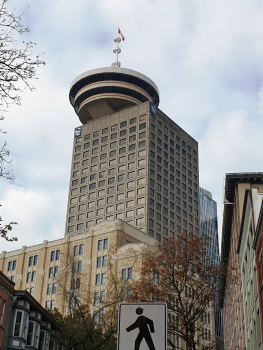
column 209, row 228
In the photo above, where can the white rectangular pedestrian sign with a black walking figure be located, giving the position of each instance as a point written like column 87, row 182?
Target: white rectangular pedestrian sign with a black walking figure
column 142, row 326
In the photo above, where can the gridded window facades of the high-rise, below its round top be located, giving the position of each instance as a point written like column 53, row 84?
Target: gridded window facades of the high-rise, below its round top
column 145, row 165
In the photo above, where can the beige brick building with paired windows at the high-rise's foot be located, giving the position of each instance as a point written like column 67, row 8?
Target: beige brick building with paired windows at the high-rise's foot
column 78, row 263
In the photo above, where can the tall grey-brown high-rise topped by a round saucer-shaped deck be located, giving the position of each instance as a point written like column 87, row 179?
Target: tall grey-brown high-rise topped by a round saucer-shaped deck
column 130, row 161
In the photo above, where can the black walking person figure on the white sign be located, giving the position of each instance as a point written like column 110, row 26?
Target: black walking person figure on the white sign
column 142, row 323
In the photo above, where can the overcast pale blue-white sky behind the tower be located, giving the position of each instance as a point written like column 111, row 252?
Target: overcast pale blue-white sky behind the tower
column 205, row 56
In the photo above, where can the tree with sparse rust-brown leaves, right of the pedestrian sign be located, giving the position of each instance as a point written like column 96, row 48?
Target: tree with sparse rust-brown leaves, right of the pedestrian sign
column 176, row 273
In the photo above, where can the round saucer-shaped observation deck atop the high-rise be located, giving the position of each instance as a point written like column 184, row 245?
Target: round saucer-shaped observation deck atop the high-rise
column 105, row 91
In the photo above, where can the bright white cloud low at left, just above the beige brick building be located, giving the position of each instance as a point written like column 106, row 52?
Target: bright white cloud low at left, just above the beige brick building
column 36, row 214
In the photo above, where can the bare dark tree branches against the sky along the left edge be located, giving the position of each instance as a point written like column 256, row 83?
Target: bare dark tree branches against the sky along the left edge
column 18, row 67
